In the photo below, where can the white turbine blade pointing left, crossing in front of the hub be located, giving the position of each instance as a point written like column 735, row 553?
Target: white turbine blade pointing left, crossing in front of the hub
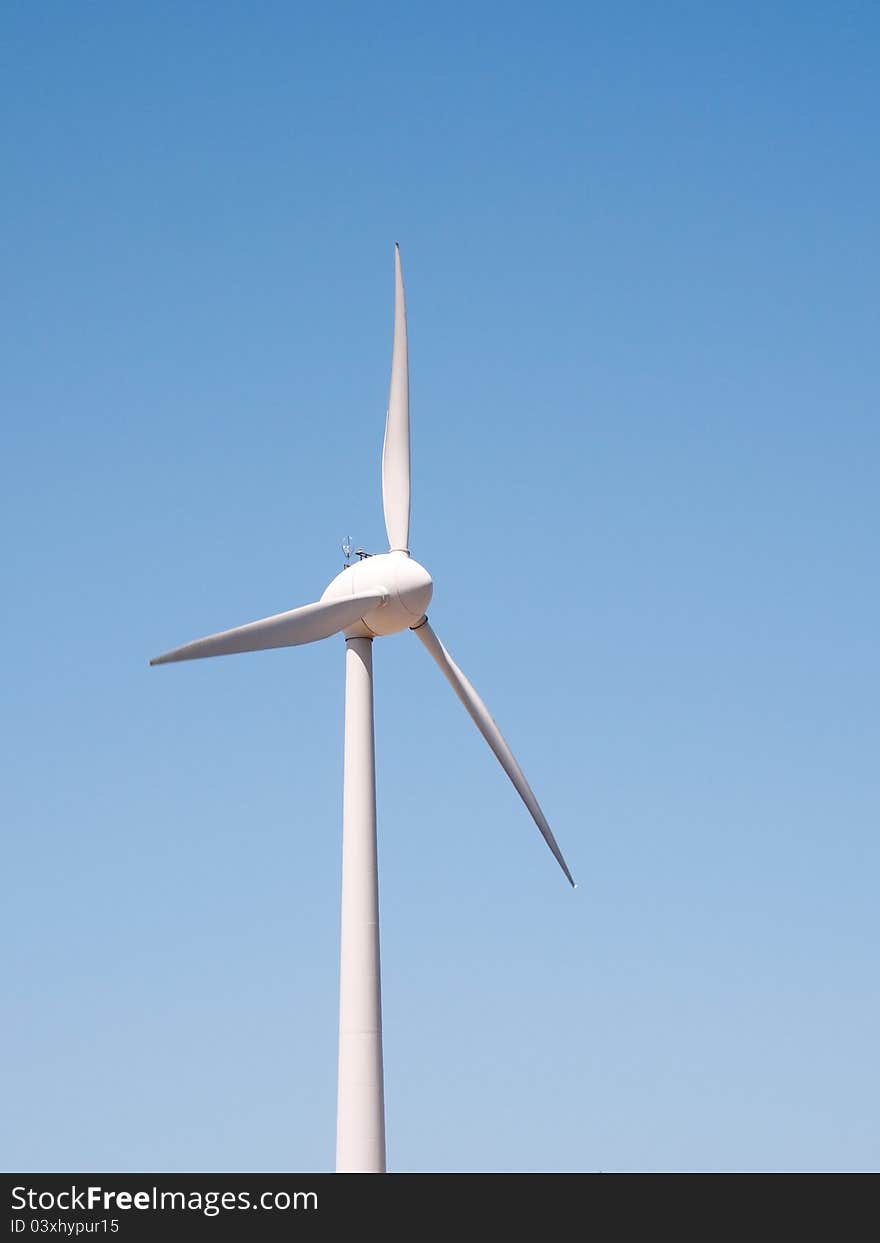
column 308, row 625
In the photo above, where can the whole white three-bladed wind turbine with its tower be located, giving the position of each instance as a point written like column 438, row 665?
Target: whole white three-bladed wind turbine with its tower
column 377, row 596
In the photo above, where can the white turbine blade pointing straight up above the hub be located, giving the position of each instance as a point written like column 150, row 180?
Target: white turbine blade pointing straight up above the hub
column 396, row 449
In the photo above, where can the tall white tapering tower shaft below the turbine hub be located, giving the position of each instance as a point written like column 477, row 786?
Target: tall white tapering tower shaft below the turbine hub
column 361, row 1106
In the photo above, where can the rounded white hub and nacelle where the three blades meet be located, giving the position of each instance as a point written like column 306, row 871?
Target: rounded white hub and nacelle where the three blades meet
column 408, row 592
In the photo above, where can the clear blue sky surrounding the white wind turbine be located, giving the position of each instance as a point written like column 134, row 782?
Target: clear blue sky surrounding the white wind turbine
column 641, row 253
